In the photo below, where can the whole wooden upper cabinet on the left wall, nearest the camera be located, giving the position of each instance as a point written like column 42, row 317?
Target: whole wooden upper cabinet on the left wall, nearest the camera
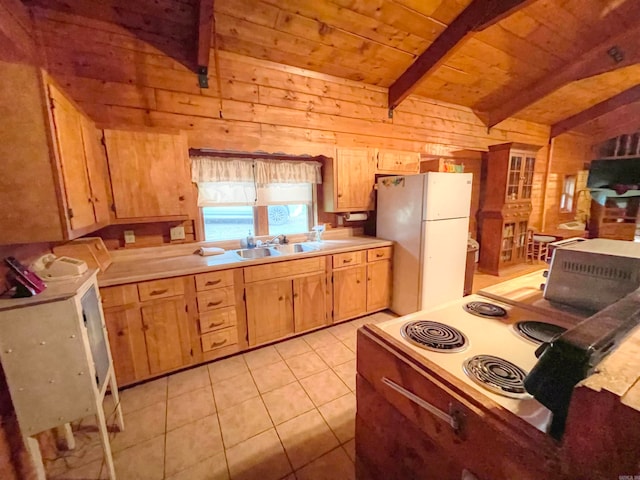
column 53, row 183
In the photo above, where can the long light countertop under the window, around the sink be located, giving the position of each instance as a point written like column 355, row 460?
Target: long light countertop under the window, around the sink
column 176, row 260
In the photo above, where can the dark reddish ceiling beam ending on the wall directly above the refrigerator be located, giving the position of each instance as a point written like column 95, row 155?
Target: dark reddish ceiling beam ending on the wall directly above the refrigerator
column 478, row 15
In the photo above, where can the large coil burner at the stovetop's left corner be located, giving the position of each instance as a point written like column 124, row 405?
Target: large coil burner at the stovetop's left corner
column 434, row 336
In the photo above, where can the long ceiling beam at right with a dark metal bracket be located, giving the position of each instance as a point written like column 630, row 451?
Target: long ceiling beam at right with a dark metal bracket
column 618, row 52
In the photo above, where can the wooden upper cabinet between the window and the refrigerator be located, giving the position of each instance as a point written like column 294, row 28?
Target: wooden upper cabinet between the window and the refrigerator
column 348, row 180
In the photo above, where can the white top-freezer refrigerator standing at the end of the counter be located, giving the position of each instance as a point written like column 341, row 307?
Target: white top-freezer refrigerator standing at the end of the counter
column 427, row 217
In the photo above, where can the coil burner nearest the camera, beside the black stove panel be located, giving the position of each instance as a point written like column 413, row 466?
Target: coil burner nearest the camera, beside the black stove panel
column 497, row 375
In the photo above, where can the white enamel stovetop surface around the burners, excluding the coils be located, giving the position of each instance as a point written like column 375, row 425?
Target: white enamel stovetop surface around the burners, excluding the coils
column 492, row 336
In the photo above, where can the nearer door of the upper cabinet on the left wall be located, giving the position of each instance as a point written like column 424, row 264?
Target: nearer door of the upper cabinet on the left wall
column 68, row 132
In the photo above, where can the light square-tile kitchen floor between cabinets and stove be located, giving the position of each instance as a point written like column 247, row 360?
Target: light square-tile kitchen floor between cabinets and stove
column 285, row 411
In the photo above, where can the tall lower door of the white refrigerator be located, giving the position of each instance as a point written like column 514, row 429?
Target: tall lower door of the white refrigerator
column 444, row 261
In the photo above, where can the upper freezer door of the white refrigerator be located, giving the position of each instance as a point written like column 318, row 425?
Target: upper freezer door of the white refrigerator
column 447, row 195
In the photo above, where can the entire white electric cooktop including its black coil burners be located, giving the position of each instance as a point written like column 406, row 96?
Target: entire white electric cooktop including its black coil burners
column 473, row 347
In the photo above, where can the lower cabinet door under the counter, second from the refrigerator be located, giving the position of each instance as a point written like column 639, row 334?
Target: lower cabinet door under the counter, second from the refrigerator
column 349, row 292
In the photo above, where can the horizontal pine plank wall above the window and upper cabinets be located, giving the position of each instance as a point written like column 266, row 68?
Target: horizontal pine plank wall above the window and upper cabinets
column 123, row 79
